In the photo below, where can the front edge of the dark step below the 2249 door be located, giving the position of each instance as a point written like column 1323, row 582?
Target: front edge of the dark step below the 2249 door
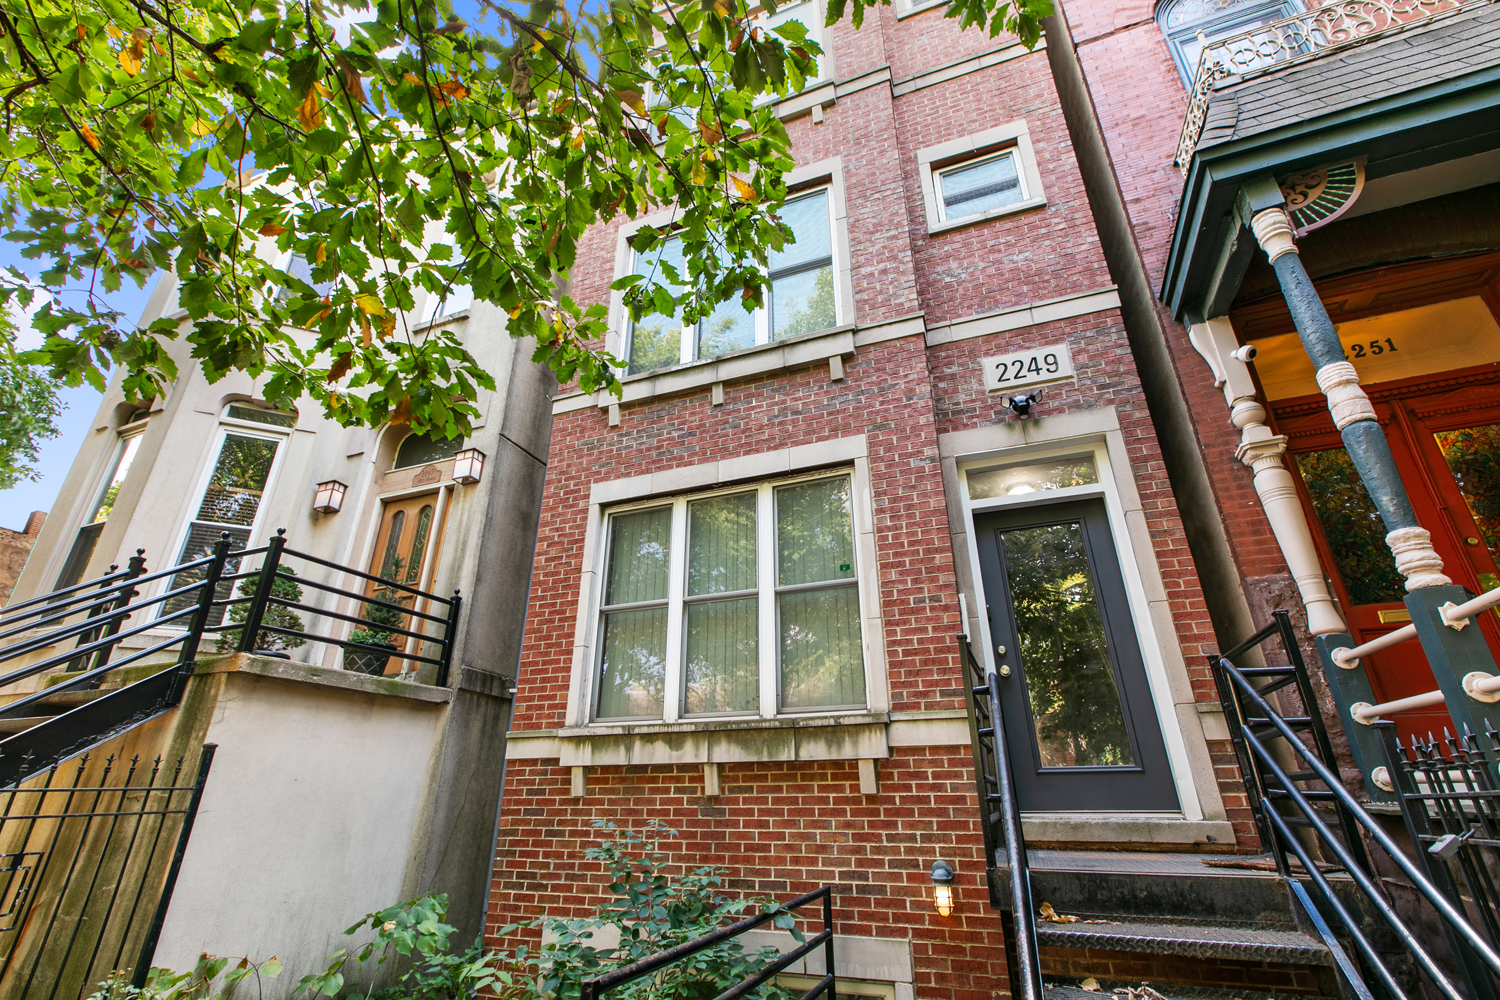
column 1199, row 941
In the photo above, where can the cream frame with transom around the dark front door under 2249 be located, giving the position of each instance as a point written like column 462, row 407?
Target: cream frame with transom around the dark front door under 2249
column 1138, row 599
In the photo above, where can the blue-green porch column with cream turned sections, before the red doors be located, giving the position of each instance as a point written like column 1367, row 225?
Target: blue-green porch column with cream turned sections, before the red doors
column 1354, row 415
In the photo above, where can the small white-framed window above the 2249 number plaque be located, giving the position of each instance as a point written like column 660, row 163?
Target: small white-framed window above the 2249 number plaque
column 979, row 178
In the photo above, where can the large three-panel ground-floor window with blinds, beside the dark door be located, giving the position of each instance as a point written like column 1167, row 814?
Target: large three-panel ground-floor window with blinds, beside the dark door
column 740, row 603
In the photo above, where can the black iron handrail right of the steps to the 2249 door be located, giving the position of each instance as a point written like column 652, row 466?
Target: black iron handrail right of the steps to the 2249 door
column 1312, row 797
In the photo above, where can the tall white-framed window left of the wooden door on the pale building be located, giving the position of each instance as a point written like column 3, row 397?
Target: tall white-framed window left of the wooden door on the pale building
column 248, row 451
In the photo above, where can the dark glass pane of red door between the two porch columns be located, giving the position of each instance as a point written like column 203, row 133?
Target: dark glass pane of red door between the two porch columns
column 1354, row 528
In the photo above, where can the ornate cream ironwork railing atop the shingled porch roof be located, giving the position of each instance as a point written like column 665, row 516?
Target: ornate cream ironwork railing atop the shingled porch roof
column 1304, row 35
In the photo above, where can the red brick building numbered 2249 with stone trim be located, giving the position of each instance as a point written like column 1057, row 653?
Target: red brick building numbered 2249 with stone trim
column 752, row 569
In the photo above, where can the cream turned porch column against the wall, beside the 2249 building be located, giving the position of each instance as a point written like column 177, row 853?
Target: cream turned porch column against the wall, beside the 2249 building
column 1264, row 454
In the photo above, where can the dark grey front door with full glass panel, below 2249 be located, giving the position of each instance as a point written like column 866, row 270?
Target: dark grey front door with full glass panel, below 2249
column 1079, row 720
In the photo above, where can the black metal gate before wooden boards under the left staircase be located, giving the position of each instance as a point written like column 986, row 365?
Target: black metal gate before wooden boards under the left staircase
column 89, row 854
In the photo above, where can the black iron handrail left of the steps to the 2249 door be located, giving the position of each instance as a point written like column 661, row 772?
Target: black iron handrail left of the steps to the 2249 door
column 1001, row 815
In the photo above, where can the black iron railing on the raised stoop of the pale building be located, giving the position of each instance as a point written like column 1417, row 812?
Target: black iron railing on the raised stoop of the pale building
column 91, row 630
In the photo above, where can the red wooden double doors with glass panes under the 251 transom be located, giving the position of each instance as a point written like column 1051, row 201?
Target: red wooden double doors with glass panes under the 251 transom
column 1447, row 446
